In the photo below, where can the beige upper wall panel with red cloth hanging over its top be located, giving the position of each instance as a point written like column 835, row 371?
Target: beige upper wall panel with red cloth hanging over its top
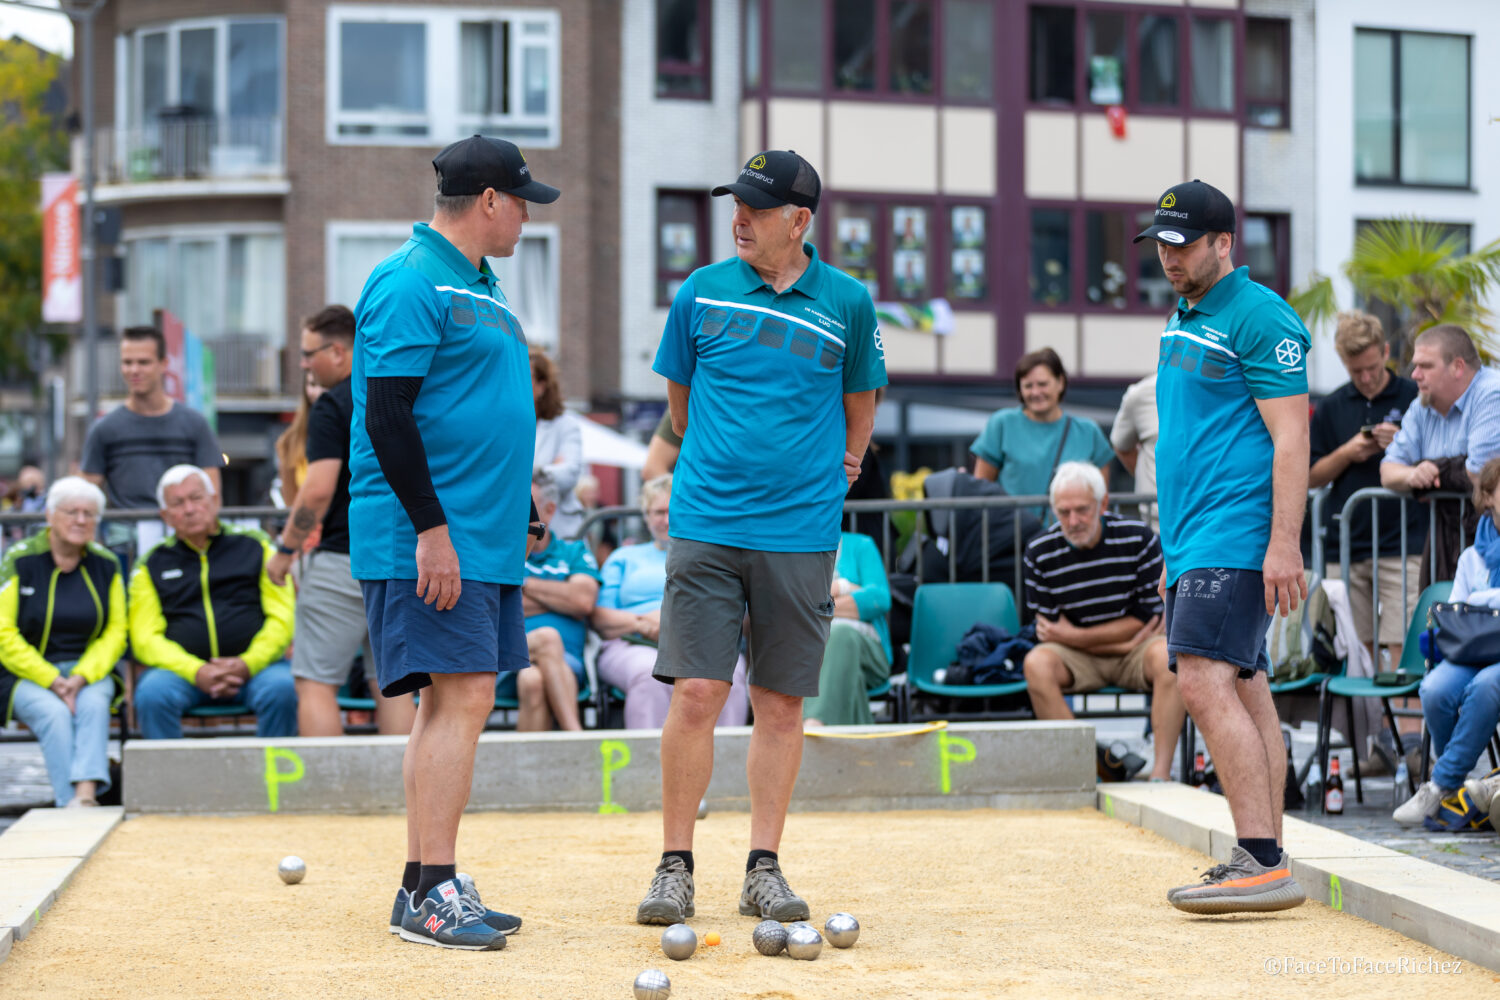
column 1136, row 169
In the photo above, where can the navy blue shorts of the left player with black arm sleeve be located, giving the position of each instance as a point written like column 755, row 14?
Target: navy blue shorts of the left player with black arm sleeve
column 412, row 641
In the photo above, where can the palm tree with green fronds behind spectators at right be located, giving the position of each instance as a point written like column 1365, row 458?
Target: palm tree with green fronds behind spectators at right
column 1414, row 268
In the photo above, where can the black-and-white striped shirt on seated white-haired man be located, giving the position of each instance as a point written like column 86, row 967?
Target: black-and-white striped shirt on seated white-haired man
column 1117, row 578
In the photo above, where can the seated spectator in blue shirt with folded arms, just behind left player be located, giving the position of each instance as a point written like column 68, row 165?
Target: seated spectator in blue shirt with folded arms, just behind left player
column 557, row 596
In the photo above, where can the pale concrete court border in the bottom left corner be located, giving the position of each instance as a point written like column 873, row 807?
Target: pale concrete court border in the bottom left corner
column 40, row 857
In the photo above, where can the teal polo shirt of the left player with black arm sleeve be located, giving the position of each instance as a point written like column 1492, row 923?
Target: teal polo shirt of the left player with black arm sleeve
column 428, row 313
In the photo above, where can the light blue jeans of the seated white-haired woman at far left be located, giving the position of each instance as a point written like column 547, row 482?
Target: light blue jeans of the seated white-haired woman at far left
column 74, row 744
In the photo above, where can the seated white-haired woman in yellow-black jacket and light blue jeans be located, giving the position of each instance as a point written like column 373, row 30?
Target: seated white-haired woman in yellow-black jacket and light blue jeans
column 62, row 633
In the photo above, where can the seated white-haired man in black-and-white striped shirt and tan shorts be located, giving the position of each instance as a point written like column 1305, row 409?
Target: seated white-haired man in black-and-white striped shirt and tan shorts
column 1091, row 585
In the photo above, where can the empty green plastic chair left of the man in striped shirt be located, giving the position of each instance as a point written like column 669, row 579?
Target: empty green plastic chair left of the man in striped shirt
column 941, row 615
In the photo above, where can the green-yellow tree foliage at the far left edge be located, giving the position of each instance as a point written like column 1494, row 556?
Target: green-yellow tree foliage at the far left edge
column 31, row 145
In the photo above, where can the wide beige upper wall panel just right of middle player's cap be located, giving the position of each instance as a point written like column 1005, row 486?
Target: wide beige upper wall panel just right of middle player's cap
column 883, row 148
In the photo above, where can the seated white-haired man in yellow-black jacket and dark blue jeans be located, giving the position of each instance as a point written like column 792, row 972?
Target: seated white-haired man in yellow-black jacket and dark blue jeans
column 206, row 618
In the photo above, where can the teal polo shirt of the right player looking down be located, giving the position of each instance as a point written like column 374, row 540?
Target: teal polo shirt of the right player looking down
column 1240, row 344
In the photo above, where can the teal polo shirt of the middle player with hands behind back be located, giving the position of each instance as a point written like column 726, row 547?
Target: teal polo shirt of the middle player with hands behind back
column 763, row 460
